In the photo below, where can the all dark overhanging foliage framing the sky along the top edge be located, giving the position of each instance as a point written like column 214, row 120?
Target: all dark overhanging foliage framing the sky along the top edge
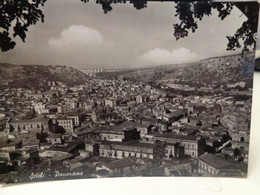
column 17, row 15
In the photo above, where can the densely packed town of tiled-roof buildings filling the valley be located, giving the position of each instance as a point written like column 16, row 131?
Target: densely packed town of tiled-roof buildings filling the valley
column 110, row 127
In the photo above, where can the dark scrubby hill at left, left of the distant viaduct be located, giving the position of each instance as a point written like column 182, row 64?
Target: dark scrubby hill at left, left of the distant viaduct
column 28, row 76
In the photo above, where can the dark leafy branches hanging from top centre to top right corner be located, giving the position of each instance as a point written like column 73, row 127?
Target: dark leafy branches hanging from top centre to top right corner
column 190, row 13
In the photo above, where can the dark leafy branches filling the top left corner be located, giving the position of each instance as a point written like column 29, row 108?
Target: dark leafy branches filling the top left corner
column 17, row 16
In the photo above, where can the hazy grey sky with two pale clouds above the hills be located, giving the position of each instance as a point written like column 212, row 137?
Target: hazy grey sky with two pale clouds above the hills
column 82, row 36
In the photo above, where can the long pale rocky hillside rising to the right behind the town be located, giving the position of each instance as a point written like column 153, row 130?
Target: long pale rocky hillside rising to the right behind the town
column 222, row 70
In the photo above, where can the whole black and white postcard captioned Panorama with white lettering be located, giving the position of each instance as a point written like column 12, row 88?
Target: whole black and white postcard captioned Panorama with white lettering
column 118, row 88
